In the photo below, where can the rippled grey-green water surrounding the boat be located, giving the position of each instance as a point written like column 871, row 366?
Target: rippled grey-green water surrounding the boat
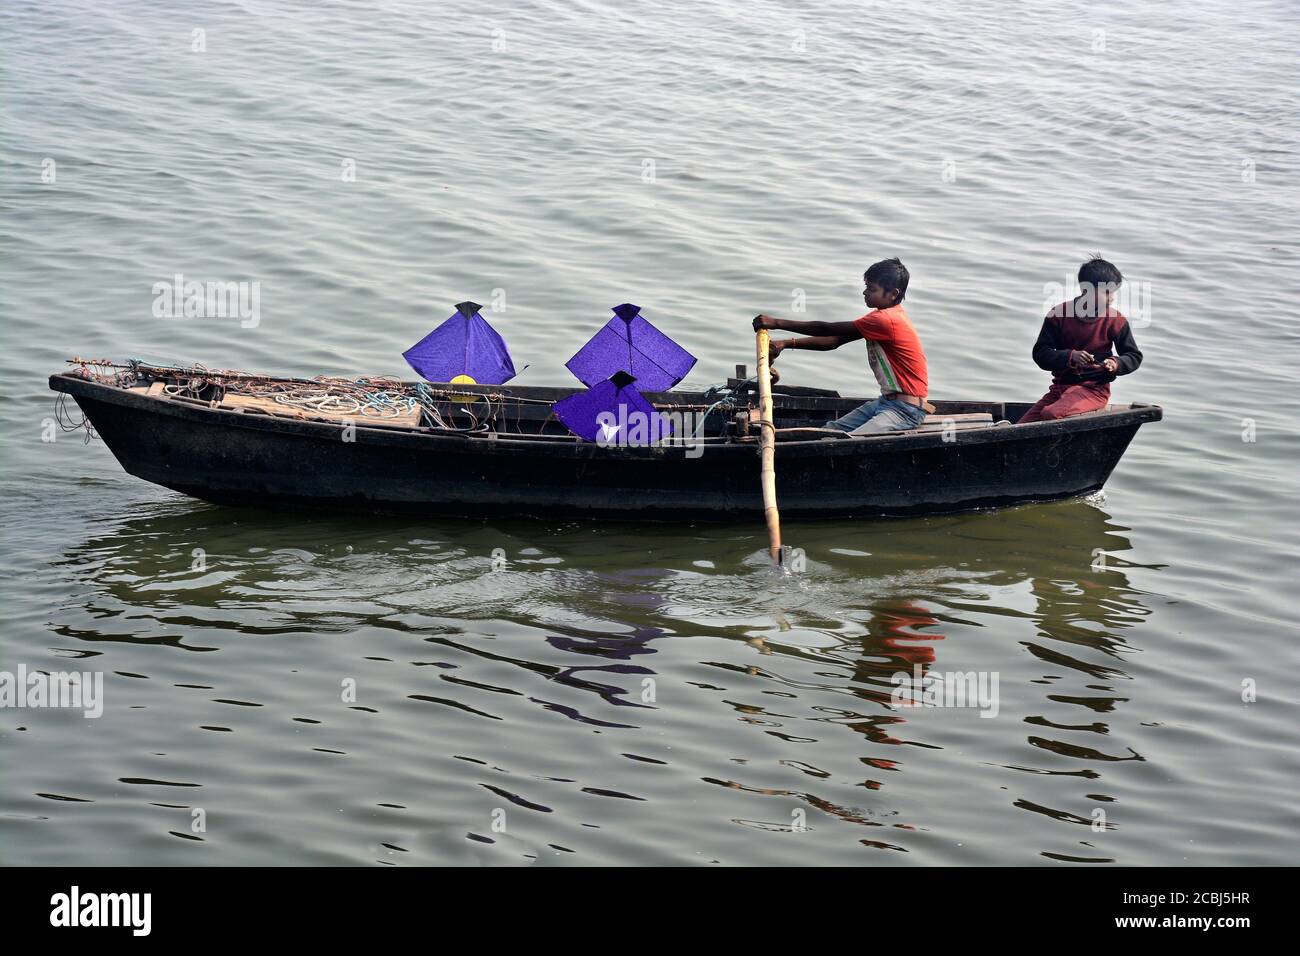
column 333, row 690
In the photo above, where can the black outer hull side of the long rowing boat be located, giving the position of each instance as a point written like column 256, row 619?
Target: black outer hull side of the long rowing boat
column 236, row 458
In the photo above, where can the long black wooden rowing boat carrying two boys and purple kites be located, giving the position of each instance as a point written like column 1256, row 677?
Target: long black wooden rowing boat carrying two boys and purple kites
column 504, row 453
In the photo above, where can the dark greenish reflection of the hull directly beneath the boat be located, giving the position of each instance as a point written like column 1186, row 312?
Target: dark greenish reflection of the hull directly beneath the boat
column 907, row 557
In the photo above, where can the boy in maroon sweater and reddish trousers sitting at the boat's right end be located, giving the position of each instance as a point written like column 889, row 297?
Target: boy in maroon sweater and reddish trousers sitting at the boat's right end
column 1085, row 344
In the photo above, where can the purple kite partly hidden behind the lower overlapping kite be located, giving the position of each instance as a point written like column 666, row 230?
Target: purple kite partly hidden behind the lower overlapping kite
column 632, row 345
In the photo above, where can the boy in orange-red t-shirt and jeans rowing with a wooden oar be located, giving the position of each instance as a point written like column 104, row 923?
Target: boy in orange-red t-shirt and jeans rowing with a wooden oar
column 894, row 352
